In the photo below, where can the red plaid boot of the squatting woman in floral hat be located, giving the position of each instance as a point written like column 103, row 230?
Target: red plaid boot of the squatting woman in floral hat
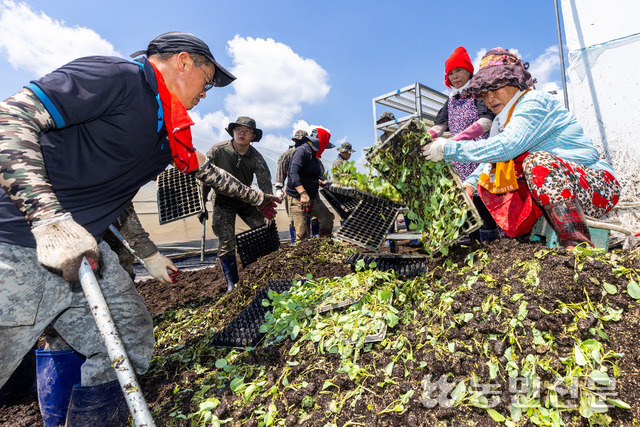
column 568, row 220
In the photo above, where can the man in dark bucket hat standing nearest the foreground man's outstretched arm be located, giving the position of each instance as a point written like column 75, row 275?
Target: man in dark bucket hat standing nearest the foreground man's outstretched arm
column 238, row 157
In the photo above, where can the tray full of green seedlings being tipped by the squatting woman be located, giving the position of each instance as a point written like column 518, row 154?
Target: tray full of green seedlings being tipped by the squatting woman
column 433, row 192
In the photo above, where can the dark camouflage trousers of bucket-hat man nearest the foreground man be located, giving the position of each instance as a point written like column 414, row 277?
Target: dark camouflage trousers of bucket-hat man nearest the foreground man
column 224, row 225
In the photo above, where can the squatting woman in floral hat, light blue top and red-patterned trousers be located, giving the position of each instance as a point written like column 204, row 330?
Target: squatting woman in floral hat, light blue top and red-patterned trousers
column 536, row 152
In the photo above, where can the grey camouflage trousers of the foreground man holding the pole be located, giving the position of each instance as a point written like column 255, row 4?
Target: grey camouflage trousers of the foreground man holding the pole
column 32, row 297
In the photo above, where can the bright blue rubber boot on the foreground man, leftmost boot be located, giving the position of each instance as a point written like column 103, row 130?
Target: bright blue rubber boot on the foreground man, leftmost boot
column 56, row 372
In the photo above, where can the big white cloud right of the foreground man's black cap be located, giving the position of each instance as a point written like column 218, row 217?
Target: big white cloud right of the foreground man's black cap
column 273, row 81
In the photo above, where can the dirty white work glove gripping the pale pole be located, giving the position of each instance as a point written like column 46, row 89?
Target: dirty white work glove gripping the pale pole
column 61, row 243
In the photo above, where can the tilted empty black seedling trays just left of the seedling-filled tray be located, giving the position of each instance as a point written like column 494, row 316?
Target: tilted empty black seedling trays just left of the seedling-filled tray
column 371, row 220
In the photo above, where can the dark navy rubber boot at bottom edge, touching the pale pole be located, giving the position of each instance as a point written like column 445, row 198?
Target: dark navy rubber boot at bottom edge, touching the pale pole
column 98, row 405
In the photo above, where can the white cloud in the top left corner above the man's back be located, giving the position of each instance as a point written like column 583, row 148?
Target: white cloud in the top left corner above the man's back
column 38, row 44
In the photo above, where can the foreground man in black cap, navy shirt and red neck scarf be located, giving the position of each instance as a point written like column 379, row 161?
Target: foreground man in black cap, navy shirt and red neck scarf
column 75, row 147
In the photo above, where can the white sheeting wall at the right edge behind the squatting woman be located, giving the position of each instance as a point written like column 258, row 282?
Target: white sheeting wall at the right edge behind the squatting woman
column 603, row 42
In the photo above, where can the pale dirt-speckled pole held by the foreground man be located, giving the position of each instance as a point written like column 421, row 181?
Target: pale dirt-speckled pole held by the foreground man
column 117, row 353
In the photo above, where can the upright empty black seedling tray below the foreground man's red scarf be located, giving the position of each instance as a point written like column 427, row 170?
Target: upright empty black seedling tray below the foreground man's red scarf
column 179, row 195
